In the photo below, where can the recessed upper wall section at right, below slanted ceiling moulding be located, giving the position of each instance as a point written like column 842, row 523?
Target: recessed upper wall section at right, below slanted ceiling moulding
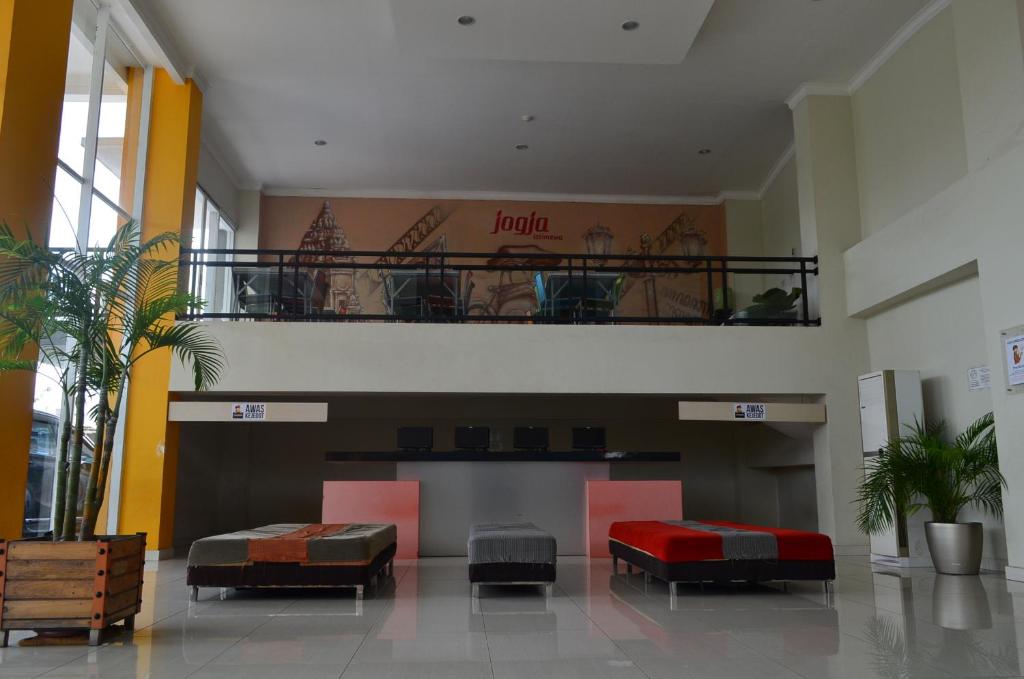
column 910, row 126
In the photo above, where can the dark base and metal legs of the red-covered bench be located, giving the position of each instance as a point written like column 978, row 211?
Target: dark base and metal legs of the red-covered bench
column 726, row 571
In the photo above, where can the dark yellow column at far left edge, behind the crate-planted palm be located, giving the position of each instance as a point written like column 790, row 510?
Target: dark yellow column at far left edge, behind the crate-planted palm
column 34, row 38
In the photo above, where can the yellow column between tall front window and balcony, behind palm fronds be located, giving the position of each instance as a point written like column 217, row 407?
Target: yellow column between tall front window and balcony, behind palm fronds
column 151, row 449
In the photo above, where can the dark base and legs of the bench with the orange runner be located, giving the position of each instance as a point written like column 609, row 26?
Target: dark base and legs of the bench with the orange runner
column 268, row 575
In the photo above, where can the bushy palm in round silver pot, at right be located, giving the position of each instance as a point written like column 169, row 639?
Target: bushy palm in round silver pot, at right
column 926, row 471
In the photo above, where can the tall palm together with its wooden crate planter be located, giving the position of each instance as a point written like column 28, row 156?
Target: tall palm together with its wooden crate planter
column 93, row 318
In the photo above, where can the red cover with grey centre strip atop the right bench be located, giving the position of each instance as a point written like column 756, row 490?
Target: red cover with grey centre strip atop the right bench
column 678, row 542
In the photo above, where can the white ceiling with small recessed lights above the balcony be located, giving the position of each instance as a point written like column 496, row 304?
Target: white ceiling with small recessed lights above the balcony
column 409, row 101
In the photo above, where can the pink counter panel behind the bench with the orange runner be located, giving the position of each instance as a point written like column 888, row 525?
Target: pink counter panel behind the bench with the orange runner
column 377, row 502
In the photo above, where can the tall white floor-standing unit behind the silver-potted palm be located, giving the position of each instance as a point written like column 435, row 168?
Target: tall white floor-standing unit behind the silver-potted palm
column 889, row 401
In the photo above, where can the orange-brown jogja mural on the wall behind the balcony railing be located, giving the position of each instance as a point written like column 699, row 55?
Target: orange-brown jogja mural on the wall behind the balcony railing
column 404, row 228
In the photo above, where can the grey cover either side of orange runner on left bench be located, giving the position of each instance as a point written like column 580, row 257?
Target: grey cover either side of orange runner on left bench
column 359, row 544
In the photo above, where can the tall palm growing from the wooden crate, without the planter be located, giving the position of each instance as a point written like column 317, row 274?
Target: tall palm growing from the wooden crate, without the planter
column 94, row 317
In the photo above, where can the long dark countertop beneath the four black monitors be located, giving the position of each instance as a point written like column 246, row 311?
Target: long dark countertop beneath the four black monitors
column 503, row 456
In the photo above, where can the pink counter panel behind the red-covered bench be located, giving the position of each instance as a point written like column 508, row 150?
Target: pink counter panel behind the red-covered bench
column 628, row 501
